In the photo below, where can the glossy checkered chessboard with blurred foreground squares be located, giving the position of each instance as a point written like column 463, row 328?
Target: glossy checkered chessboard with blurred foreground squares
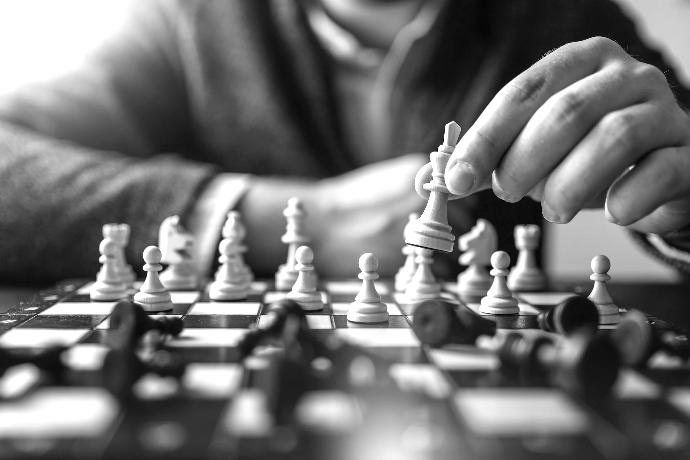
column 400, row 399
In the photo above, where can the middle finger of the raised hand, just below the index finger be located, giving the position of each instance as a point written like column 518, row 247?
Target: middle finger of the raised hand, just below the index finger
column 564, row 119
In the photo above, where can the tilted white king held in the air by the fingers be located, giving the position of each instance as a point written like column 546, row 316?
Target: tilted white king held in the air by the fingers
column 431, row 230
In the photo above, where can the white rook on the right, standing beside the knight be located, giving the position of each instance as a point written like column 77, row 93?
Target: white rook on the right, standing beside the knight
column 526, row 275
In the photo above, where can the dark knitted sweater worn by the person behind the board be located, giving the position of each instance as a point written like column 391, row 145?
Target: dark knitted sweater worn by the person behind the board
column 193, row 88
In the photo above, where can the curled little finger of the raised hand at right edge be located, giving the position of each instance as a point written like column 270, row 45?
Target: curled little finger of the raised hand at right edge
column 654, row 197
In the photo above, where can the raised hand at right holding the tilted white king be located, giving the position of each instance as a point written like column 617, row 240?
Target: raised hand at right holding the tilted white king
column 586, row 126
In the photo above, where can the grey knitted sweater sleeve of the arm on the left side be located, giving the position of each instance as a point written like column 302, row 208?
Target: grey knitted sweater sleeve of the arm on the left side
column 94, row 147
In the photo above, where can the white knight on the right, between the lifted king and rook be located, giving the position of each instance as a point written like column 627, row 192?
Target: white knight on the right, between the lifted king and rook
column 478, row 244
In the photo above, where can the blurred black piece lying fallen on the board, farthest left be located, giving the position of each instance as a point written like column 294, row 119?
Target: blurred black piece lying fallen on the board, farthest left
column 129, row 322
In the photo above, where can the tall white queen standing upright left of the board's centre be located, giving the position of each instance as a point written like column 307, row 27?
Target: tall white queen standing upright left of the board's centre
column 294, row 237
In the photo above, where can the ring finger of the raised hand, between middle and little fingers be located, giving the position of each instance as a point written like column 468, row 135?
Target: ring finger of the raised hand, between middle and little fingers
column 615, row 143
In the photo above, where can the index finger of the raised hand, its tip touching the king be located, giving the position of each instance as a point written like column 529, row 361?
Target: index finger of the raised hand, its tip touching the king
column 482, row 147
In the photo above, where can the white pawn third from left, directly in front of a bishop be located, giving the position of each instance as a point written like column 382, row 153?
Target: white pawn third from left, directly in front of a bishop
column 231, row 281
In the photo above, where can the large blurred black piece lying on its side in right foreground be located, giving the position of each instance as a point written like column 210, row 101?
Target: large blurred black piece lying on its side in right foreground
column 583, row 364
